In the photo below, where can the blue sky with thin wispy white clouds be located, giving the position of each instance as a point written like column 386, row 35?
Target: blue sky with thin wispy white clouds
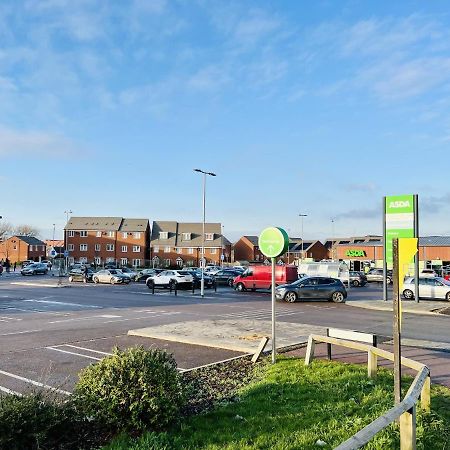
column 317, row 108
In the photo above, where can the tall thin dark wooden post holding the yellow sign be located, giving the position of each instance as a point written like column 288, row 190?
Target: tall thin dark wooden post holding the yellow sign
column 396, row 325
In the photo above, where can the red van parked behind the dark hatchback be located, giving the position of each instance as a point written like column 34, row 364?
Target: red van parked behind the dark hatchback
column 260, row 277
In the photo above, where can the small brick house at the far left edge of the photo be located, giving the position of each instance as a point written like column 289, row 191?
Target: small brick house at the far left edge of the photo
column 22, row 248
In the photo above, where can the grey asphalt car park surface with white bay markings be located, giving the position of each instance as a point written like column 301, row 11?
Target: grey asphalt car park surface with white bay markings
column 48, row 334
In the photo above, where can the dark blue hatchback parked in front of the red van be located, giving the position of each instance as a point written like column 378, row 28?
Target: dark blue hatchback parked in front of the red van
column 310, row 288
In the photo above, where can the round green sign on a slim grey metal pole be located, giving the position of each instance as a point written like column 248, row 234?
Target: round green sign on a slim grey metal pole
column 273, row 242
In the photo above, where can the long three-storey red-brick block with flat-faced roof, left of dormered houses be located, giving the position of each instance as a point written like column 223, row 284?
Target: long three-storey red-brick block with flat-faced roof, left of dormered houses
column 99, row 240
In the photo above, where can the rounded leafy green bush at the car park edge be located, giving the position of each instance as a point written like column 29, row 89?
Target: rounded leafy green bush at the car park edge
column 132, row 390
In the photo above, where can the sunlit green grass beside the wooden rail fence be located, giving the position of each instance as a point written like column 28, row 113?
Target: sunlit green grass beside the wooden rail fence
column 293, row 407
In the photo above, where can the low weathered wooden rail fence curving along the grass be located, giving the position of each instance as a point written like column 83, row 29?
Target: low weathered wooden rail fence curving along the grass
column 405, row 410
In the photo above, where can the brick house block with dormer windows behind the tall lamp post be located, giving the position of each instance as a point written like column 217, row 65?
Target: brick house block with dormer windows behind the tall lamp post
column 180, row 244
